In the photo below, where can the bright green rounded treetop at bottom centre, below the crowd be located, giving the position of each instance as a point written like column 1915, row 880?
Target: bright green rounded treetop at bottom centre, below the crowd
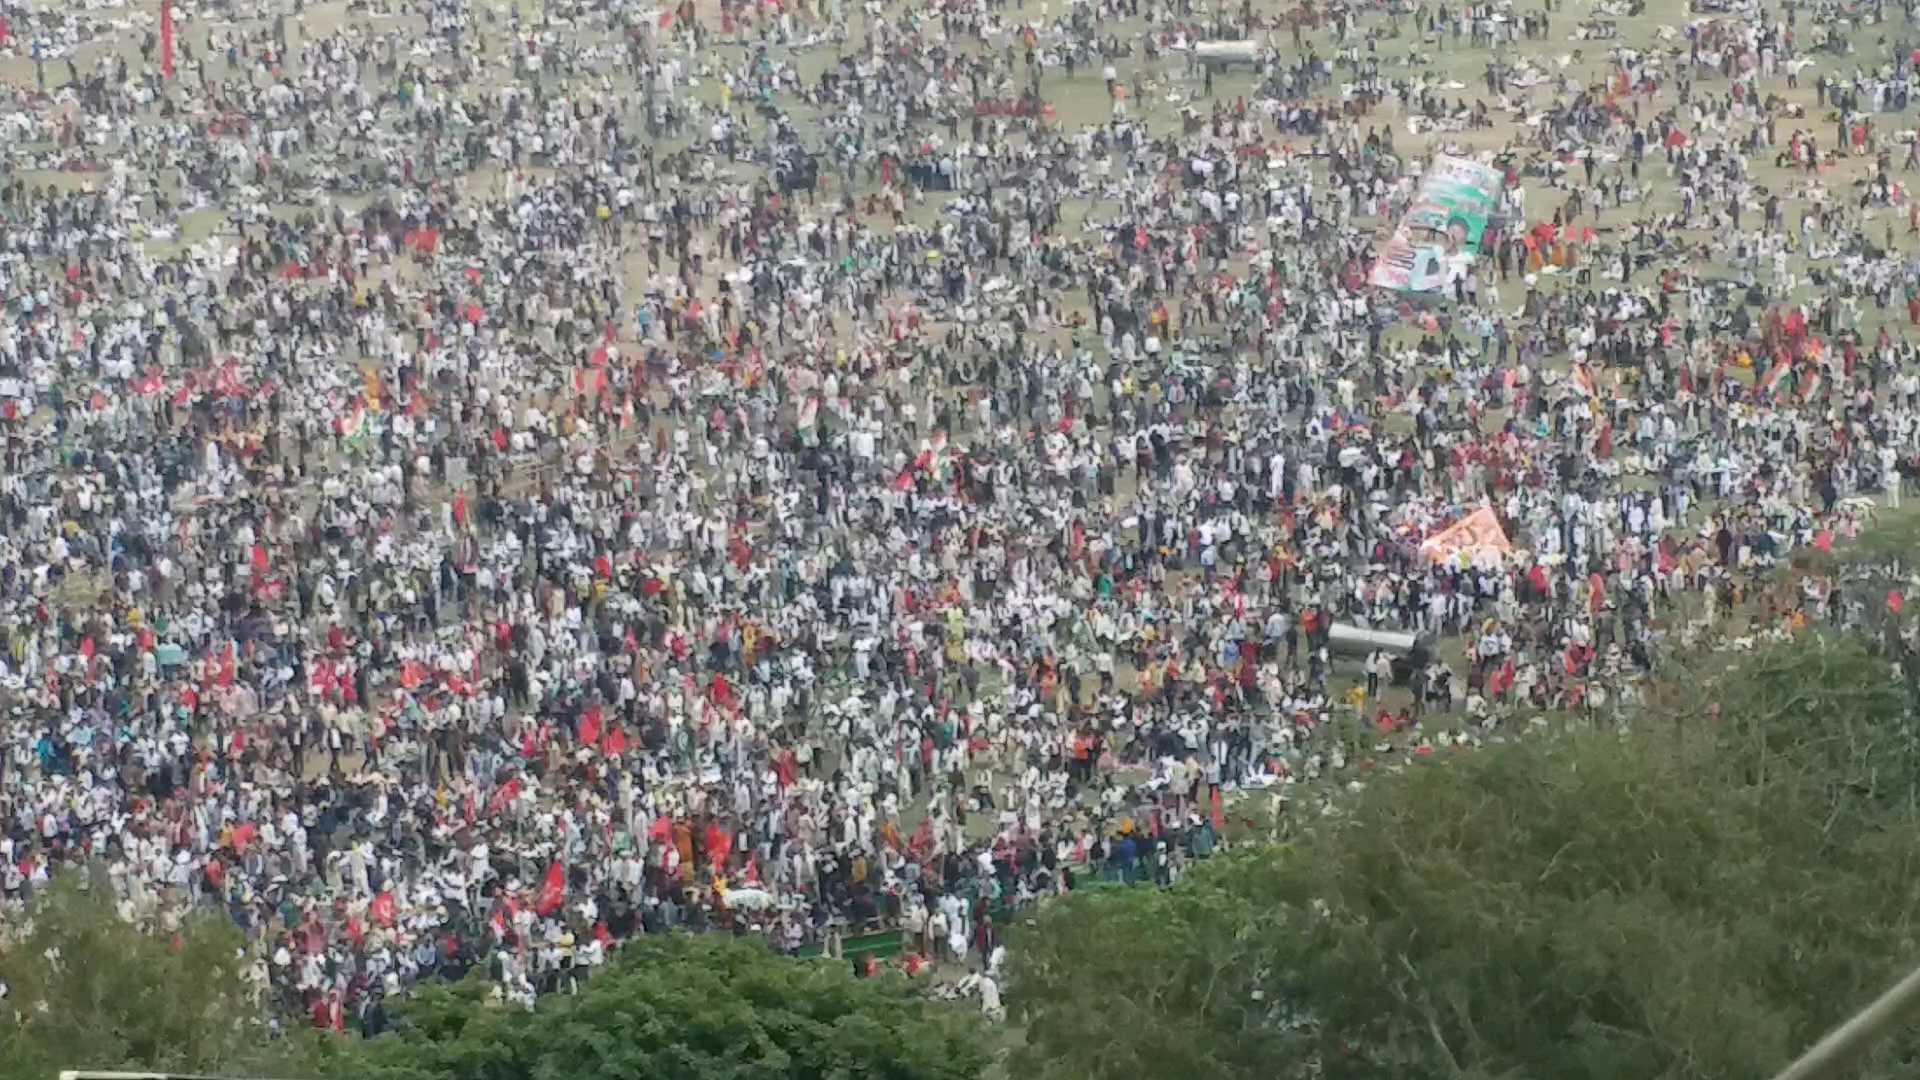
column 679, row 1006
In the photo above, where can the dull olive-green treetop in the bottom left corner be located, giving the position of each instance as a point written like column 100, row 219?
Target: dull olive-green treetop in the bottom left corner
column 89, row 991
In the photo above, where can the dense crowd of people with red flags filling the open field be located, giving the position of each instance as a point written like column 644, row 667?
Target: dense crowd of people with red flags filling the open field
column 487, row 483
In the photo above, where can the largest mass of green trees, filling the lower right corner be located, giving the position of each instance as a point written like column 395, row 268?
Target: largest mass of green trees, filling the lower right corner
column 1700, row 898
